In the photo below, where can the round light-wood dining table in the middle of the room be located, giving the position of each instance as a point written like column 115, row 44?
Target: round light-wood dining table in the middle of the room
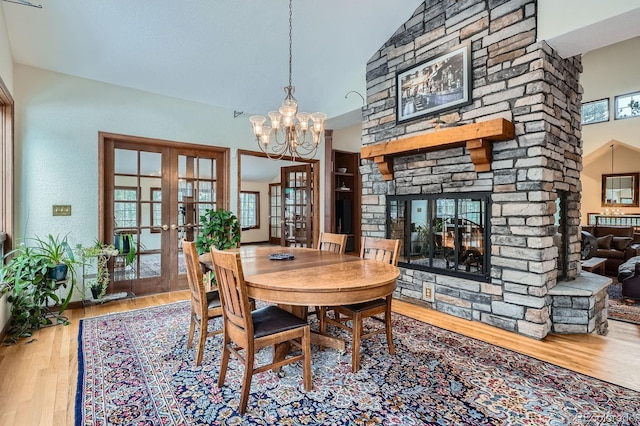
column 312, row 278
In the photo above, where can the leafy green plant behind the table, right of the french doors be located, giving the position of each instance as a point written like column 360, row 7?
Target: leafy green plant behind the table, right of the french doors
column 219, row 228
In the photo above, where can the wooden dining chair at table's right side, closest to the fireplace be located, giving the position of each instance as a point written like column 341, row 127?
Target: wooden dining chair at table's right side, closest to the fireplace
column 382, row 250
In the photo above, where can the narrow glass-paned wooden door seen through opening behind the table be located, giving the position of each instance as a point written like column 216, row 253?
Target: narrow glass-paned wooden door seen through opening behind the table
column 297, row 206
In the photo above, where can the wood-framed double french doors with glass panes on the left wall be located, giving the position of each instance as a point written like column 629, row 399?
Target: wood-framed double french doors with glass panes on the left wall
column 153, row 195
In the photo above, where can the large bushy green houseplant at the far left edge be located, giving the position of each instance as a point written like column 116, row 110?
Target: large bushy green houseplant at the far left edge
column 30, row 285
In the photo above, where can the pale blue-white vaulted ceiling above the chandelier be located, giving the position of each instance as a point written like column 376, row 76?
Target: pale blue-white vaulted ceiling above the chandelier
column 227, row 53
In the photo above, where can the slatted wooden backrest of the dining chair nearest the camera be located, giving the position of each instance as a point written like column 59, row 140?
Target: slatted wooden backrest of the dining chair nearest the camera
column 236, row 309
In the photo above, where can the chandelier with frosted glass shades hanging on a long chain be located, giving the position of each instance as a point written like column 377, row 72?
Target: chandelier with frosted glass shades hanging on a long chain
column 291, row 130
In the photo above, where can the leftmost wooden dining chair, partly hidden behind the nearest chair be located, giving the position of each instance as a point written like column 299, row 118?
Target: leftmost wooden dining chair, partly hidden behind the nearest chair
column 204, row 304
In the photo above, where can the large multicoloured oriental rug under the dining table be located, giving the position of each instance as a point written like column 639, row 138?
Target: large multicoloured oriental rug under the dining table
column 134, row 369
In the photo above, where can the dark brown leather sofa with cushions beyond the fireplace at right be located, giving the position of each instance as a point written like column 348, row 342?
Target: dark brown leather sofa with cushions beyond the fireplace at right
column 616, row 244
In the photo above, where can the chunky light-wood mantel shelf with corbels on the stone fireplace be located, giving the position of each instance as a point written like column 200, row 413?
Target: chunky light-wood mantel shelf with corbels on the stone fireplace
column 477, row 137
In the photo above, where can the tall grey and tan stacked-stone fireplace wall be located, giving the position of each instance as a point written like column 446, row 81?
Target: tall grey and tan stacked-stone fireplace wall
column 516, row 78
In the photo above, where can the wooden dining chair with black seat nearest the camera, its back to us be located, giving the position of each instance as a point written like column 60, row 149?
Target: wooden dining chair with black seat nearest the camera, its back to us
column 249, row 331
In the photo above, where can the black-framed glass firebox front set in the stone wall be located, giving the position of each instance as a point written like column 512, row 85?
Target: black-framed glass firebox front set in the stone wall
column 443, row 233
